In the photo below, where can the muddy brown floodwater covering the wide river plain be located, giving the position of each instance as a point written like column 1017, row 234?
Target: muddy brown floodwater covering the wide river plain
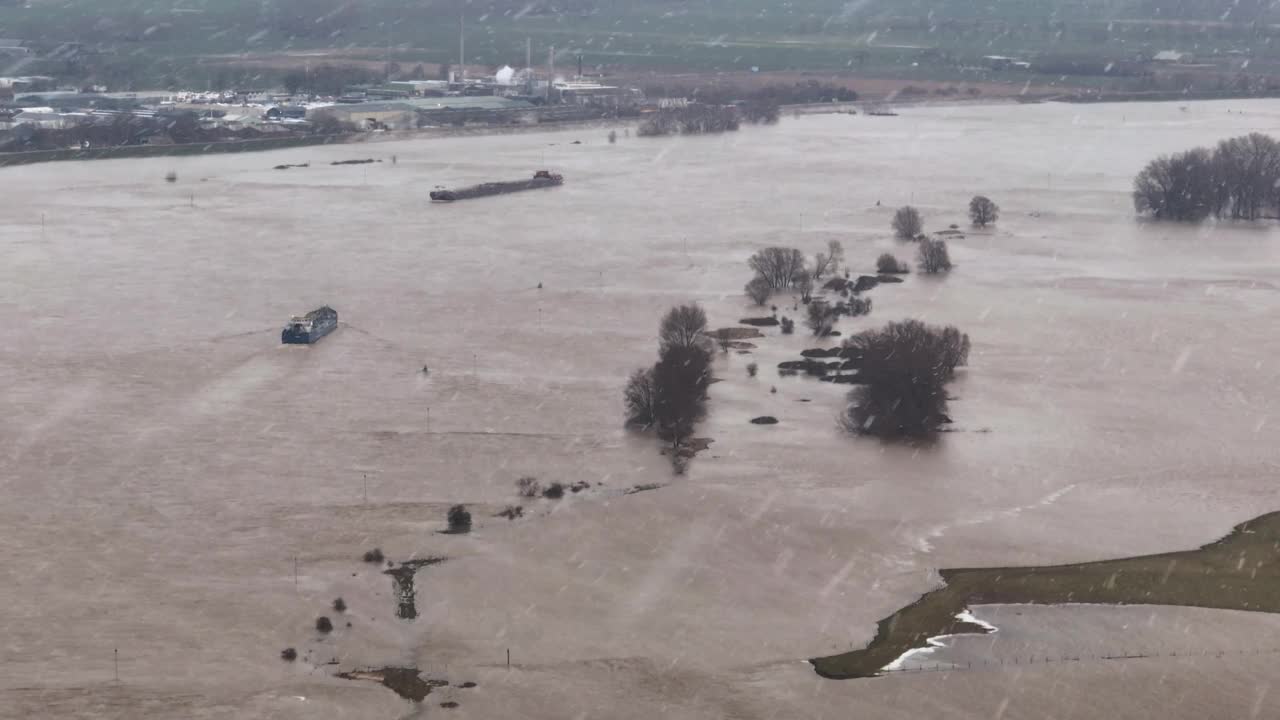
column 185, row 491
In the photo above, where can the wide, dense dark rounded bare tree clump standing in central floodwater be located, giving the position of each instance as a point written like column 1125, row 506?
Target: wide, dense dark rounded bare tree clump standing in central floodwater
column 904, row 368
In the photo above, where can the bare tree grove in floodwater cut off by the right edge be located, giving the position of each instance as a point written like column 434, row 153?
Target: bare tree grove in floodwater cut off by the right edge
column 1240, row 179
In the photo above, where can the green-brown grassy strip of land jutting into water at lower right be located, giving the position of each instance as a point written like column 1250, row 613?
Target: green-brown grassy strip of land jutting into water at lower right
column 1240, row 572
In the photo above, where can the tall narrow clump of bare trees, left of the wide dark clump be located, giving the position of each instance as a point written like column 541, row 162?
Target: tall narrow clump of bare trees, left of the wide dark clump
column 671, row 397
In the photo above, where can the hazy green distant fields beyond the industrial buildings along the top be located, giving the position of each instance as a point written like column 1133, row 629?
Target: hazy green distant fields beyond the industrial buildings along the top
column 152, row 42
